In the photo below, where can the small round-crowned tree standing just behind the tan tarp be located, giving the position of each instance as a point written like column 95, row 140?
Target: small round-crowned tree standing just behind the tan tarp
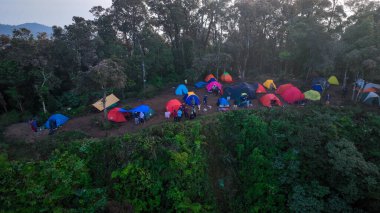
column 105, row 75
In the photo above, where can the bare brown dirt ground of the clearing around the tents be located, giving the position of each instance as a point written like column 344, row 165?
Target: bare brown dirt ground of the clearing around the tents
column 87, row 124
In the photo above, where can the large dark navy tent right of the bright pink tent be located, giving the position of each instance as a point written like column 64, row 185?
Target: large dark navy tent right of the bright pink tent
column 234, row 92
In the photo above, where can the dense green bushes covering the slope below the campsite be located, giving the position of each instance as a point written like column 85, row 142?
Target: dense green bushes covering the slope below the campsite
column 298, row 160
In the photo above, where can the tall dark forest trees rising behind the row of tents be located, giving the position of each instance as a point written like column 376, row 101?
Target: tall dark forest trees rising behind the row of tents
column 156, row 42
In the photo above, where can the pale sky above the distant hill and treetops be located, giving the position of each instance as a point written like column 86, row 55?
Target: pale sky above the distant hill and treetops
column 47, row 12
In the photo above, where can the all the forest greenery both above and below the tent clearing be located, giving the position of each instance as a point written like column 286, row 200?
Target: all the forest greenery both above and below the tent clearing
column 315, row 158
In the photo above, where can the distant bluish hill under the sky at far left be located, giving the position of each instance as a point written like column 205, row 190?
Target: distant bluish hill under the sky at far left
column 34, row 27
